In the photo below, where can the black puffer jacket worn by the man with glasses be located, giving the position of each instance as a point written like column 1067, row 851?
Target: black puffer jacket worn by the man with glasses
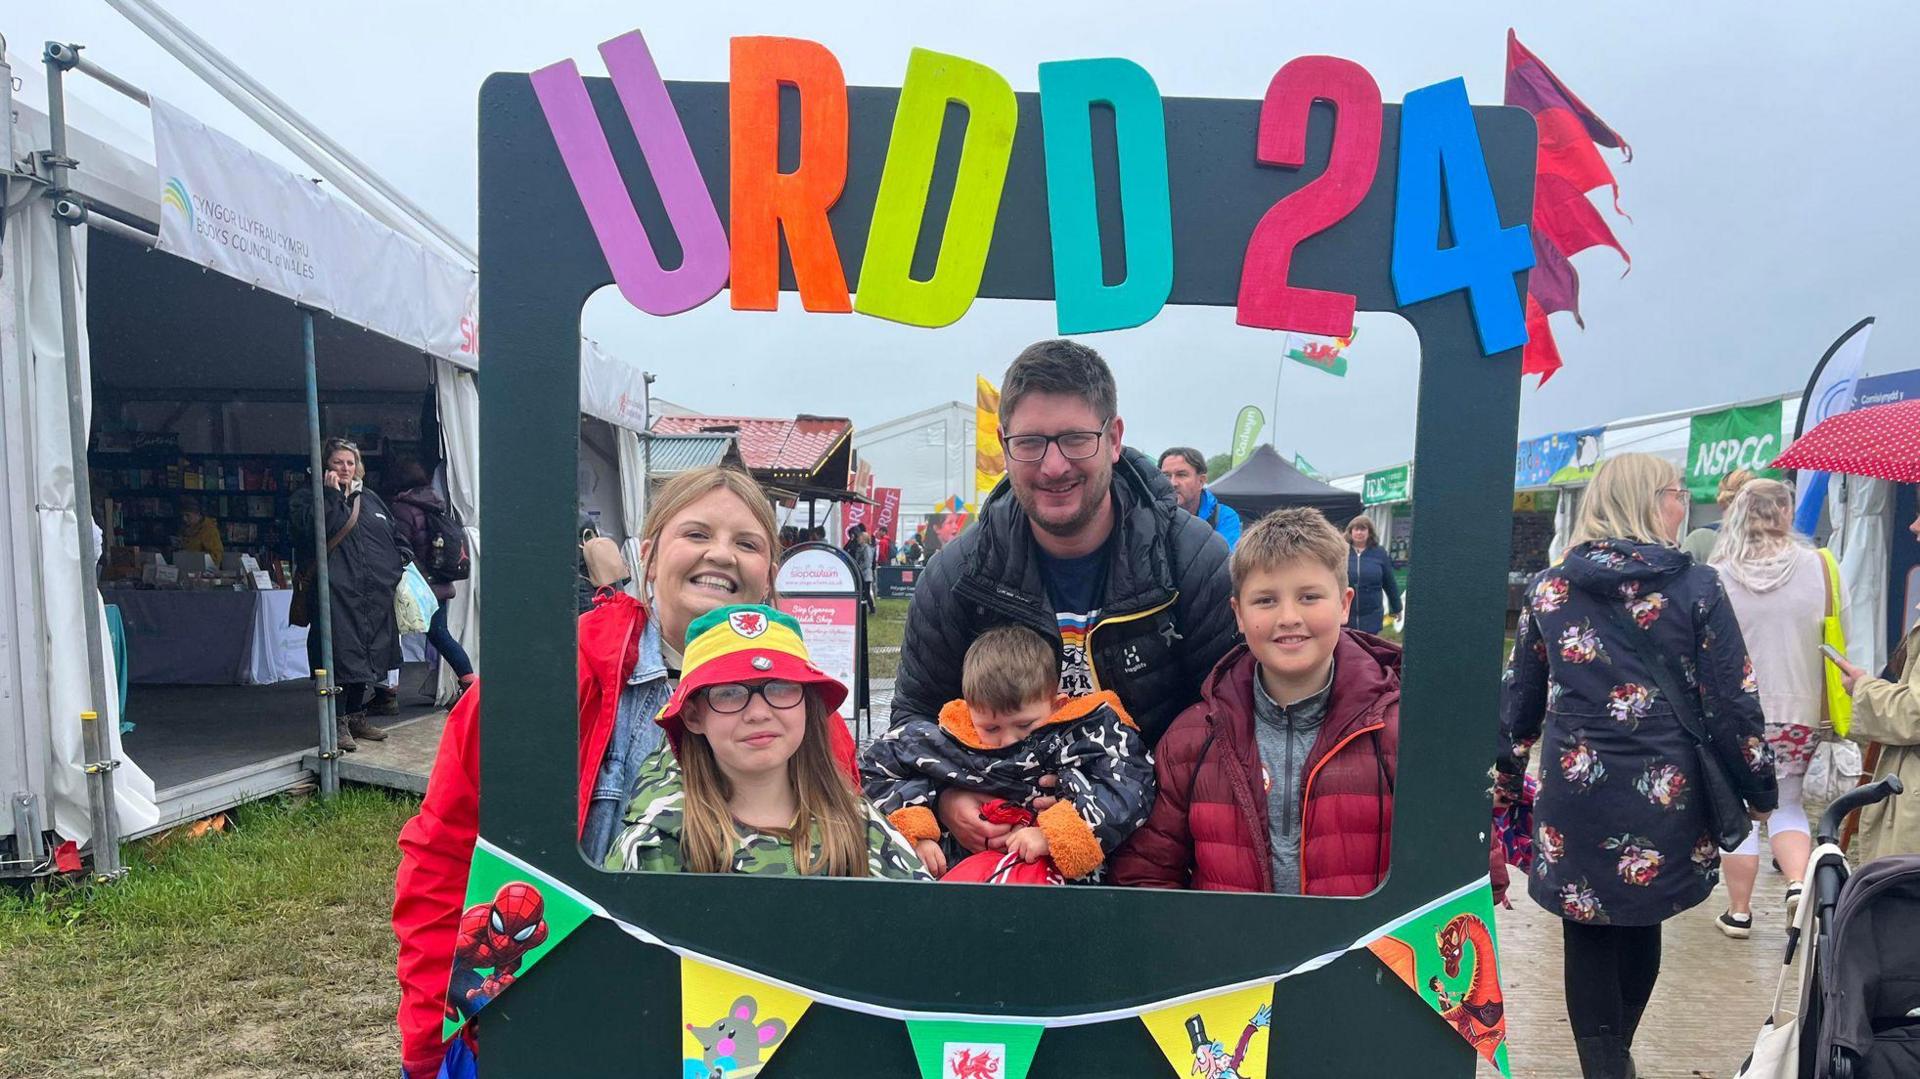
column 1163, row 627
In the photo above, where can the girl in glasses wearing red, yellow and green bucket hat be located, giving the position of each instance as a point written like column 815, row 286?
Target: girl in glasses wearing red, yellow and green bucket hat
column 748, row 782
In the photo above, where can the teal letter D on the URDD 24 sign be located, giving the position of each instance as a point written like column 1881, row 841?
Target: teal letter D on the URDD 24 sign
column 1068, row 91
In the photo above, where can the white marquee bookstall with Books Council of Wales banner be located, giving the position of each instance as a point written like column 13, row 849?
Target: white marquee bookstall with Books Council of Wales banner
column 201, row 398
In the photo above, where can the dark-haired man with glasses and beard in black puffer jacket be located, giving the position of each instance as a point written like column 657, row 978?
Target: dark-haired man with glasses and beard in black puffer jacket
column 1084, row 542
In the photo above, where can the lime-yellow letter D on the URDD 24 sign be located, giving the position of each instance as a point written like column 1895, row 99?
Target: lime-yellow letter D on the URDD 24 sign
column 888, row 289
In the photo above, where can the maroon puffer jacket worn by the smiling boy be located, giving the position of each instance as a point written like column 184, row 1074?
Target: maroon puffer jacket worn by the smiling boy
column 1209, row 828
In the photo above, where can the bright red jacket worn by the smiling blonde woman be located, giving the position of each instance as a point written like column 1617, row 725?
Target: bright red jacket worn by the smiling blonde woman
column 439, row 844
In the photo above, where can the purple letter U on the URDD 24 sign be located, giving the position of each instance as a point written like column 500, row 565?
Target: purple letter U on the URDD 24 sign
column 663, row 141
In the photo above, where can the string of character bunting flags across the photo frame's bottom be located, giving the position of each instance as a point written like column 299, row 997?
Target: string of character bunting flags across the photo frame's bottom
column 736, row 1020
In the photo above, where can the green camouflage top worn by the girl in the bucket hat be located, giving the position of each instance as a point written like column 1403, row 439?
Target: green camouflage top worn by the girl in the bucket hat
column 650, row 838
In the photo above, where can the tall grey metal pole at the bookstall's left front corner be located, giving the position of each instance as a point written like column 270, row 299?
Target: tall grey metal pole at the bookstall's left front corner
column 68, row 214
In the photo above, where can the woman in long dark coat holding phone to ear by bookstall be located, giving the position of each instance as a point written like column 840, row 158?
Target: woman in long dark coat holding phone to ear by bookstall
column 364, row 567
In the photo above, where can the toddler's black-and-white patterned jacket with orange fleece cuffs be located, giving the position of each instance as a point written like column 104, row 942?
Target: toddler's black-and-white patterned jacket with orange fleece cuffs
column 1092, row 748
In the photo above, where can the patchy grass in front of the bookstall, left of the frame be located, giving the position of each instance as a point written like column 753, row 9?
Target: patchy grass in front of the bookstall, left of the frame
column 260, row 951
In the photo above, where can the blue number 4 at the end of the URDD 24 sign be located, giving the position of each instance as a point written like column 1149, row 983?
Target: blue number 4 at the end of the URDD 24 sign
column 1437, row 137
